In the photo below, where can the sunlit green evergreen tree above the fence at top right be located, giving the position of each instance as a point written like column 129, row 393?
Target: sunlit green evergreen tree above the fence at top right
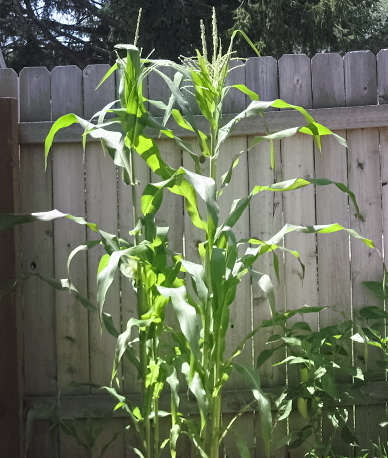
column 278, row 27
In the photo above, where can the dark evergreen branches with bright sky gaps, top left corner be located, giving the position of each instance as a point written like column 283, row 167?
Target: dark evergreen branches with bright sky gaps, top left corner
column 49, row 32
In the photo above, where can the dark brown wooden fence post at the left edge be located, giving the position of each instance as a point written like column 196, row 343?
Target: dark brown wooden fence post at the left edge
column 10, row 399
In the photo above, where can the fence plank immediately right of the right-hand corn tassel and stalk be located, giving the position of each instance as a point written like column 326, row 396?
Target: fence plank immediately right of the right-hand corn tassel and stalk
column 241, row 309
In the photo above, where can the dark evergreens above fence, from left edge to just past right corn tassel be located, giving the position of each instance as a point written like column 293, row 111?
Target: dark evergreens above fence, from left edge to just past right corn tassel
column 80, row 32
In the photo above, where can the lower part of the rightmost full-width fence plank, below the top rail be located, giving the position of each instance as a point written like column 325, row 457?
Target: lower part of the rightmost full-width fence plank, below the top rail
column 364, row 165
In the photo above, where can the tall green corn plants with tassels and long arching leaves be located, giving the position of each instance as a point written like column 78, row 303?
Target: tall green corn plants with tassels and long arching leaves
column 200, row 293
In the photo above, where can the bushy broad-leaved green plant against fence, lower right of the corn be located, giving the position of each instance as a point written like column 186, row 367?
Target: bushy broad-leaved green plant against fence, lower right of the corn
column 317, row 361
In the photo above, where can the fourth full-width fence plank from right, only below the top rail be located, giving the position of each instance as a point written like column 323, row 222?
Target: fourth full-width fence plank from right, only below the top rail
column 266, row 219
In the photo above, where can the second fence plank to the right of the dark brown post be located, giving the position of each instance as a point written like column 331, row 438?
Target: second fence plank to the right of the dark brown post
column 68, row 197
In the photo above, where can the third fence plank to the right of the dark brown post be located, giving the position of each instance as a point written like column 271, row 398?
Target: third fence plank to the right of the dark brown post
column 102, row 209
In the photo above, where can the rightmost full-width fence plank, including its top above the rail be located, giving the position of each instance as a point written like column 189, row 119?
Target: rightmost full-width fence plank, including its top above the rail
column 364, row 181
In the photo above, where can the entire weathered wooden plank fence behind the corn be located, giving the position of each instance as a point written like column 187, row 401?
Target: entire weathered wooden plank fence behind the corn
column 58, row 342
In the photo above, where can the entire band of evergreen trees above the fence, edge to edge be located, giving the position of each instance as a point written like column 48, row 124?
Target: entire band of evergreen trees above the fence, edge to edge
column 82, row 32
